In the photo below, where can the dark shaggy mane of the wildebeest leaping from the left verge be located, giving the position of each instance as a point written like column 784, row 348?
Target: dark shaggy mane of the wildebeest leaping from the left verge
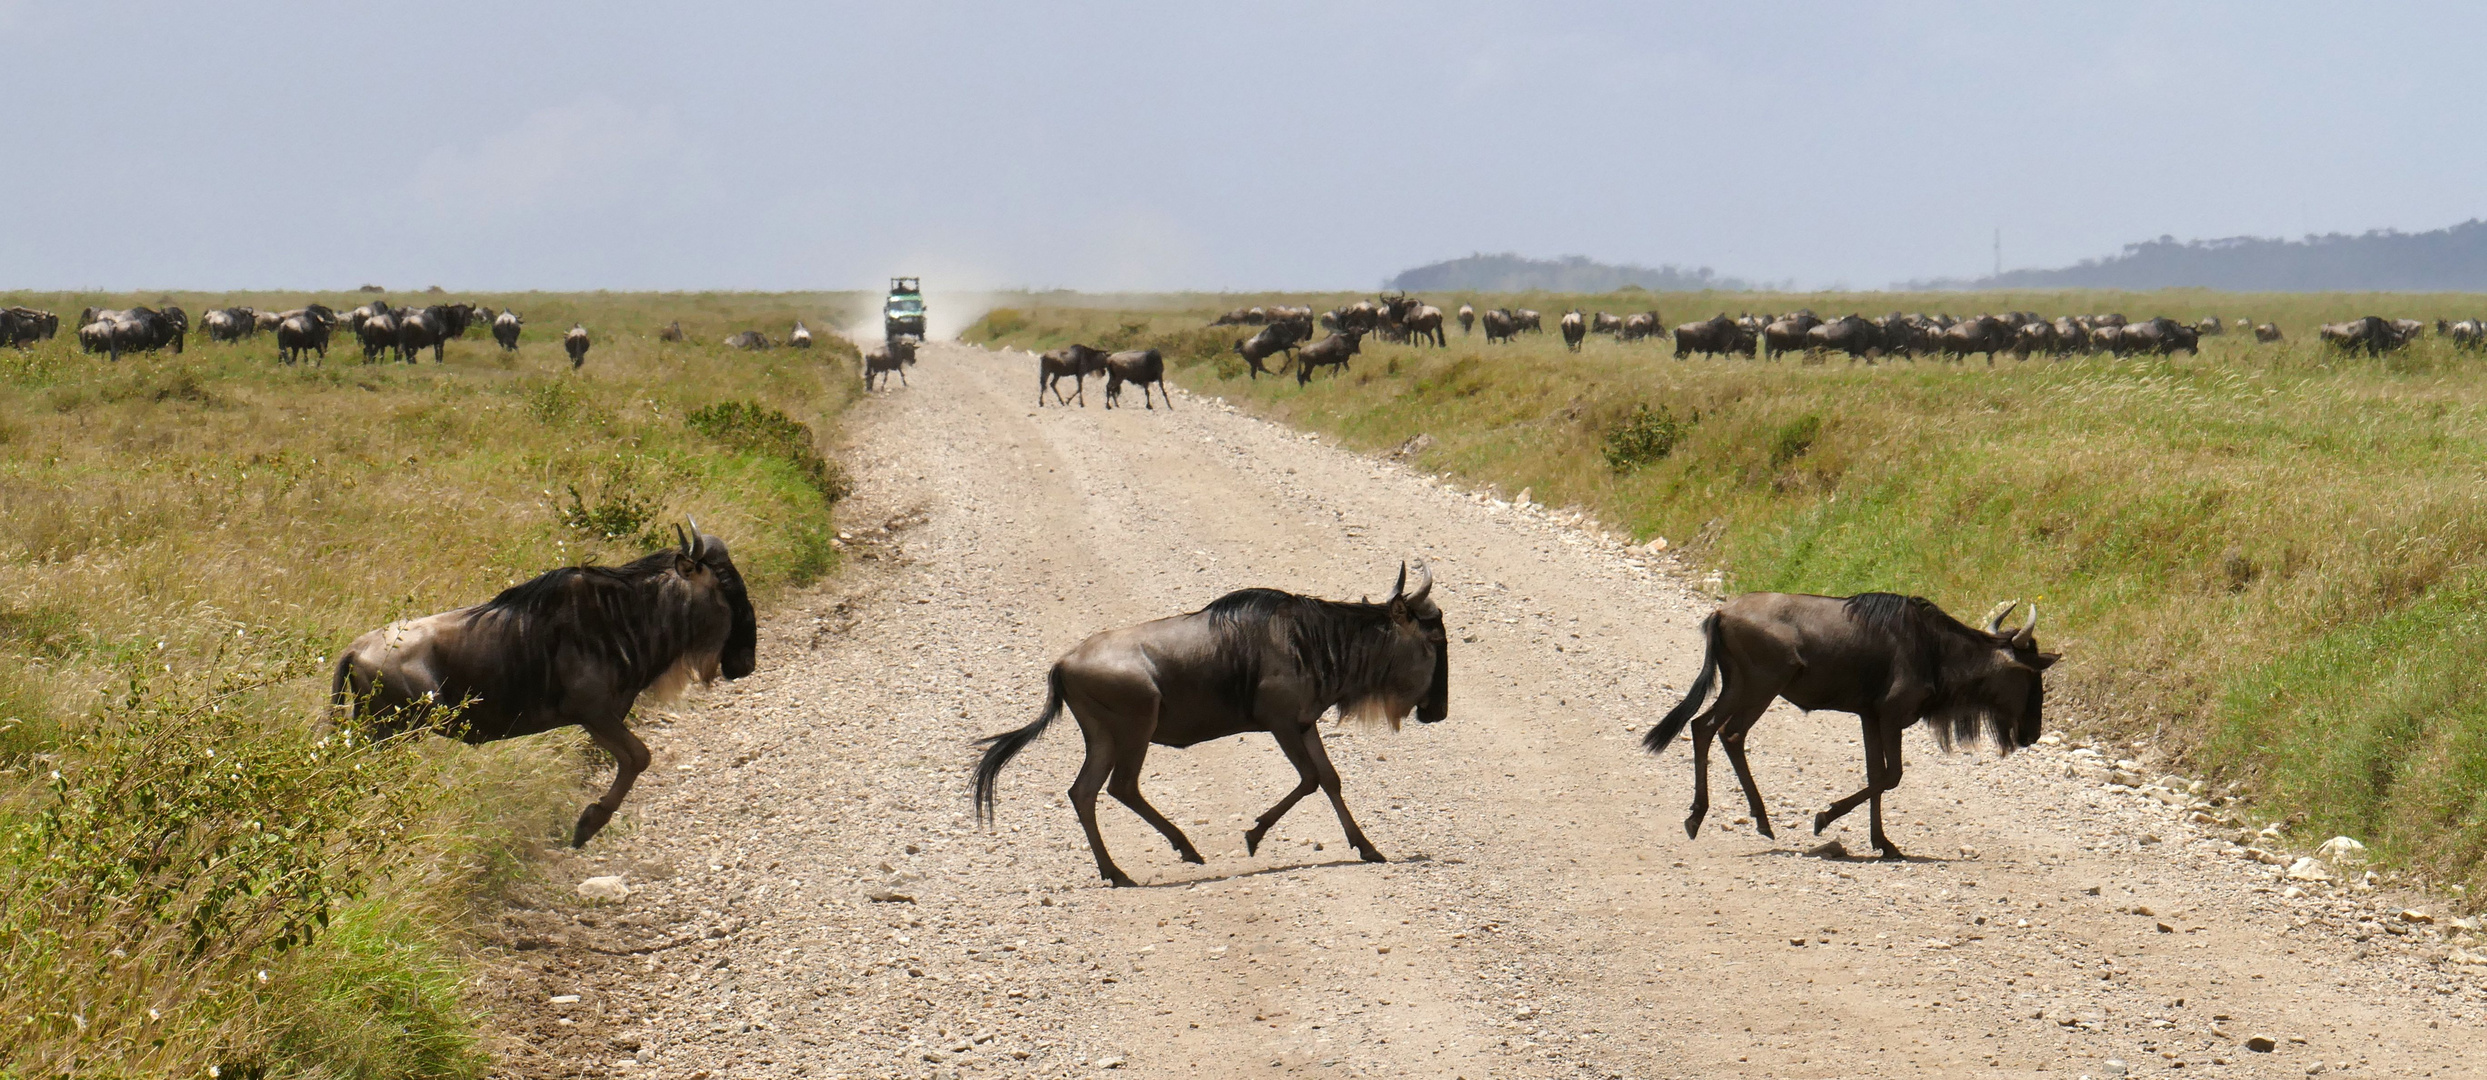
column 603, row 613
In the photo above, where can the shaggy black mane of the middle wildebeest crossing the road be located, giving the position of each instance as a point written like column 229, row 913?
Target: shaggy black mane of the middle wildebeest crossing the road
column 1334, row 643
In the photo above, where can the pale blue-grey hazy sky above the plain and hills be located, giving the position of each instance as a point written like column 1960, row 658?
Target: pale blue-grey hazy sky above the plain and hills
column 1150, row 146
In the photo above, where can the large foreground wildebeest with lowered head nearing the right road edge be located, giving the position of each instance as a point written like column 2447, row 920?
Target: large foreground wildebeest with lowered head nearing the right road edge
column 1886, row 658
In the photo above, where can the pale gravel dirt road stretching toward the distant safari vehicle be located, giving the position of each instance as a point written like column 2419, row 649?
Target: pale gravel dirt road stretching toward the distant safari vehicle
column 812, row 895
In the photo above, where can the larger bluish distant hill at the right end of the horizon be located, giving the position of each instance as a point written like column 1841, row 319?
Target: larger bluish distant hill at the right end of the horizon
column 2386, row 260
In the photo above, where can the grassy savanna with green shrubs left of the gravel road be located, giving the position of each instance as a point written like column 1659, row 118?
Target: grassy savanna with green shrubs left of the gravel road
column 193, row 872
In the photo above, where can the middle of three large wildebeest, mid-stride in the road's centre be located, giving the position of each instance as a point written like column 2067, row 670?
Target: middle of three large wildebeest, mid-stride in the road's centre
column 1255, row 661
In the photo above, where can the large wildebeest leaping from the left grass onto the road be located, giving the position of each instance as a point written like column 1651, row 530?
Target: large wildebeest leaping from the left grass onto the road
column 578, row 646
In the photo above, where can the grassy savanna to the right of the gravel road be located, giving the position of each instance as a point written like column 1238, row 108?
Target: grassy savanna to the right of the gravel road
column 2262, row 561
